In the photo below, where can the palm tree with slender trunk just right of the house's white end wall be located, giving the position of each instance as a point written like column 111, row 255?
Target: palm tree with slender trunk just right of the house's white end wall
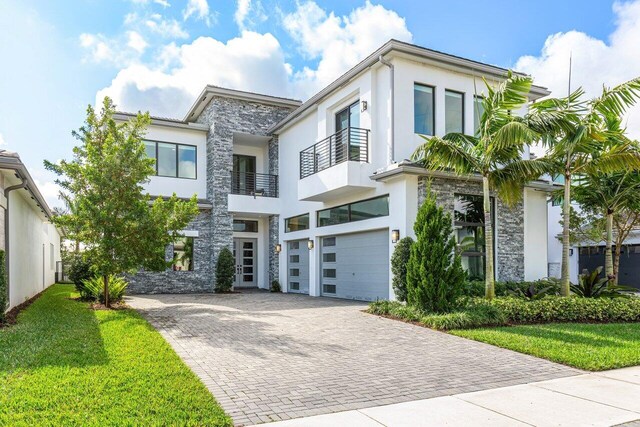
column 580, row 141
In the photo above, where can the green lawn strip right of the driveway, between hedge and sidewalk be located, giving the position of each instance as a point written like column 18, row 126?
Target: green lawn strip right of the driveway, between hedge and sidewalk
column 593, row 347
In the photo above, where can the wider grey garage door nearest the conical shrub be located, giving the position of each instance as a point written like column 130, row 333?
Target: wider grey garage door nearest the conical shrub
column 355, row 266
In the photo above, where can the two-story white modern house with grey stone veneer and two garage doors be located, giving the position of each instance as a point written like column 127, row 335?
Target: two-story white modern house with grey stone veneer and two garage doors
column 317, row 194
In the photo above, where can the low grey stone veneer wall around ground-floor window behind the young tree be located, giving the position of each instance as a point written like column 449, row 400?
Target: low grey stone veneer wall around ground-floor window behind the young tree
column 200, row 280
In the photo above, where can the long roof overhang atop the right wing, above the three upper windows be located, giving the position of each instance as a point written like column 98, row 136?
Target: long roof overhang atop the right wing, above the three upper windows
column 405, row 50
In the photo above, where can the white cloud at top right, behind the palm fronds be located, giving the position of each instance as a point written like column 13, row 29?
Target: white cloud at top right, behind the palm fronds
column 594, row 62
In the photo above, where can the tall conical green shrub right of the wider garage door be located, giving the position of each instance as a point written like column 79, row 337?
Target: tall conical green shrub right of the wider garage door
column 435, row 277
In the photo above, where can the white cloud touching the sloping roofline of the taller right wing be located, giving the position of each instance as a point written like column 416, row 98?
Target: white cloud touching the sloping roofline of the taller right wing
column 339, row 42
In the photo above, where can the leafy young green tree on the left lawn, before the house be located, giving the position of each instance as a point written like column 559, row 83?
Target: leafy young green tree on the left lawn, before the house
column 121, row 228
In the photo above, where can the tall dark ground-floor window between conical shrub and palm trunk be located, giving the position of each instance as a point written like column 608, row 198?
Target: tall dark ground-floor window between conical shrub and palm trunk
column 470, row 233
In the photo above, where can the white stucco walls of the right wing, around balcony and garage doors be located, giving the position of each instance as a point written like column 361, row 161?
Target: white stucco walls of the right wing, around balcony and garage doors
column 373, row 86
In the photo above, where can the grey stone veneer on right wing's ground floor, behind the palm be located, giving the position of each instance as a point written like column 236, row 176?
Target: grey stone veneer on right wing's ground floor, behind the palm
column 509, row 222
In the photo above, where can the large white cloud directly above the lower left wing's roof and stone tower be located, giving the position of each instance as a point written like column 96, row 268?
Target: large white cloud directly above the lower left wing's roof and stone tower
column 170, row 90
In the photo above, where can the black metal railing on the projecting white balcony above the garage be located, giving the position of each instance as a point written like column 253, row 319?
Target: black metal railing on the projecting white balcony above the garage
column 348, row 144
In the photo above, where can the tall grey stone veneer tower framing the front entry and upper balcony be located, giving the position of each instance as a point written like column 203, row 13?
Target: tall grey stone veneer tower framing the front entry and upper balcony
column 224, row 117
